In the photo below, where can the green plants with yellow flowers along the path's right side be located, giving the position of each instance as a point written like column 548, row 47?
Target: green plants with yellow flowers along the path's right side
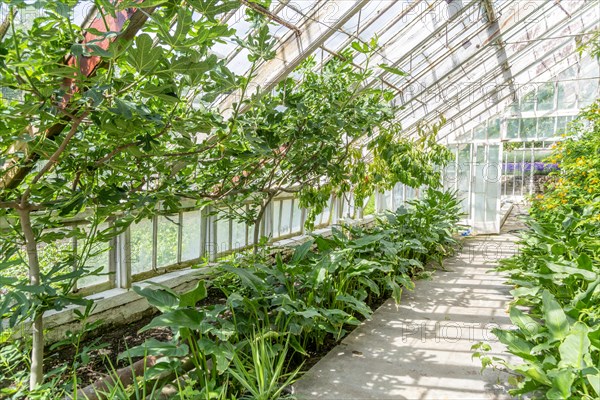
column 556, row 275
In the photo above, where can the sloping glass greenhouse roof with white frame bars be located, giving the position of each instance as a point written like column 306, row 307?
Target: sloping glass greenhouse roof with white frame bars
column 462, row 58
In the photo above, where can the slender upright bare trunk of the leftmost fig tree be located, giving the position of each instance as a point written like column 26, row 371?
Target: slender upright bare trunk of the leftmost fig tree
column 37, row 350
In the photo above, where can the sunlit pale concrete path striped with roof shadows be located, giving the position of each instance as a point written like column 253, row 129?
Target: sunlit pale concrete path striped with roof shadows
column 421, row 349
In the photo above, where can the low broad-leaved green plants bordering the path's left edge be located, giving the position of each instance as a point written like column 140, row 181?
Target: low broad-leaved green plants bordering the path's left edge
column 276, row 310
